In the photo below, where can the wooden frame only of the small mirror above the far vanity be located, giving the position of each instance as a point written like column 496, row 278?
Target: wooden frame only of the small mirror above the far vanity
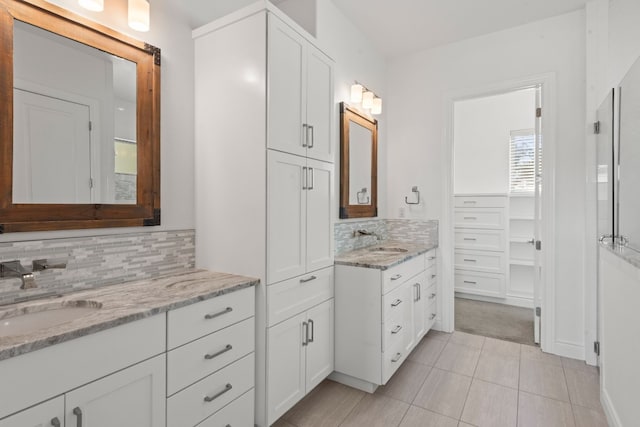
column 348, row 115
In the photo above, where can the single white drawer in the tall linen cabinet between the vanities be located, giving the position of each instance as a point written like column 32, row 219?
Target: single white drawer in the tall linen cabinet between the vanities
column 293, row 296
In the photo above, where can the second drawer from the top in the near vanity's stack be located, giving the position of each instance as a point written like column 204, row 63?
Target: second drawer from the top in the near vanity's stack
column 191, row 362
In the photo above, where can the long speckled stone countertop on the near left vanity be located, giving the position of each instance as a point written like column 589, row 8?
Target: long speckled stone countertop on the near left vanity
column 118, row 304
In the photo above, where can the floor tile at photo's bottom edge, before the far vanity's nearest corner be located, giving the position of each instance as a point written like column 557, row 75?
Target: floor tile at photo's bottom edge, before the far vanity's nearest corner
column 375, row 410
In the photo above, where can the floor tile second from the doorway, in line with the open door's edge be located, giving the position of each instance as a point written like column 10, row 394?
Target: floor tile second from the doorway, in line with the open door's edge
column 543, row 379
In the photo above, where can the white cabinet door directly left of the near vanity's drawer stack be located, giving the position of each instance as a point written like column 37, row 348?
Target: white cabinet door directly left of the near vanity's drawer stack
column 134, row 397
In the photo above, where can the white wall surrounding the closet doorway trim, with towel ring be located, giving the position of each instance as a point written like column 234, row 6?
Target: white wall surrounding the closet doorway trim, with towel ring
column 417, row 88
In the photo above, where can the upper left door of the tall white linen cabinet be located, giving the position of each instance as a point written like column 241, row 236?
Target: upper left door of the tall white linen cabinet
column 286, row 94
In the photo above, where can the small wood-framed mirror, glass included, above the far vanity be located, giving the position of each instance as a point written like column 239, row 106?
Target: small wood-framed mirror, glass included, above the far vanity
column 358, row 164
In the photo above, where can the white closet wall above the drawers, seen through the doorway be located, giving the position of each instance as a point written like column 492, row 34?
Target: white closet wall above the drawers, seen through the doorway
column 481, row 135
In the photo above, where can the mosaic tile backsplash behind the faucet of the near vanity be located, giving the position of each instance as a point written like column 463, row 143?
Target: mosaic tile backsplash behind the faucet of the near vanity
column 97, row 261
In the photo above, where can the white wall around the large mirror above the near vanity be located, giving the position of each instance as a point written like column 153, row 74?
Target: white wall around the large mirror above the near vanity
column 170, row 31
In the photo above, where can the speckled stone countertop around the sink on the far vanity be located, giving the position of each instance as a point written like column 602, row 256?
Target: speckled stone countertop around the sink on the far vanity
column 382, row 260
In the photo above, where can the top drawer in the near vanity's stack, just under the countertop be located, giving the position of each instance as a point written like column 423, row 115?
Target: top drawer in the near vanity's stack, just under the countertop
column 192, row 322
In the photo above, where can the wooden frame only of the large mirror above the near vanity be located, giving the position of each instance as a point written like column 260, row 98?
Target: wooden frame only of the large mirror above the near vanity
column 40, row 217
